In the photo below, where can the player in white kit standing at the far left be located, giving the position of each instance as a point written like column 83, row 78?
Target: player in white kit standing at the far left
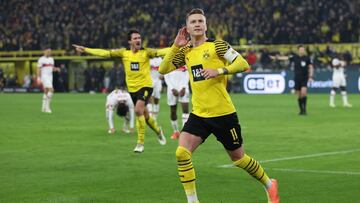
column 45, row 69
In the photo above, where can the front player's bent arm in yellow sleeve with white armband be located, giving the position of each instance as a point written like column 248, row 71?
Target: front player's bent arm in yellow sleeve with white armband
column 236, row 62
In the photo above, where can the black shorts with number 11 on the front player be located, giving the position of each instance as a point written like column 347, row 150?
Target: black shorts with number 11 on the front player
column 226, row 129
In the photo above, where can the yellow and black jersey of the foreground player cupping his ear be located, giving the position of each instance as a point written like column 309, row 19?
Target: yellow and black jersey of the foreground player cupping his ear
column 210, row 97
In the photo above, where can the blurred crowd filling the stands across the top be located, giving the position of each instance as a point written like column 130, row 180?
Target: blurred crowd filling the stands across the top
column 32, row 25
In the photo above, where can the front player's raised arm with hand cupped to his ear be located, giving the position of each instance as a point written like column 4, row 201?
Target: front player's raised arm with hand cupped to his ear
column 174, row 57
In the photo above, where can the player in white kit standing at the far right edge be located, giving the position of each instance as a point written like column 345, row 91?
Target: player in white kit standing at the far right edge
column 339, row 81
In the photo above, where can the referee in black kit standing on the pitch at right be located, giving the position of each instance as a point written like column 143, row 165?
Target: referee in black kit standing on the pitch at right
column 304, row 71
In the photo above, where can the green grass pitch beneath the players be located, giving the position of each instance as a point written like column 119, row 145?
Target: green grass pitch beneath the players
column 68, row 157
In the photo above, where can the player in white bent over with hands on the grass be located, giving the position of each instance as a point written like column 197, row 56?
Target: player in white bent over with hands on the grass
column 120, row 100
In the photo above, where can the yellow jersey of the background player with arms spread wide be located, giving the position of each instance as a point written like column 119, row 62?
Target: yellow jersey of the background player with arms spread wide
column 136, row 64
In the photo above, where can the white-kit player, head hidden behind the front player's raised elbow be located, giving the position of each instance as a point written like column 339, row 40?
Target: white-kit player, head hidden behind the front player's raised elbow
column 178, row 91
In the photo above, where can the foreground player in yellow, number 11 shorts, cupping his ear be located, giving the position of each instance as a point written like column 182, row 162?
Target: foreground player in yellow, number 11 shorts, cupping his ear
column 213, row 110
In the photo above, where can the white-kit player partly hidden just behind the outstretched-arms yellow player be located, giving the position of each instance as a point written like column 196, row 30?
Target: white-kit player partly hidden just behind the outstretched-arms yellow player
column 154, row 106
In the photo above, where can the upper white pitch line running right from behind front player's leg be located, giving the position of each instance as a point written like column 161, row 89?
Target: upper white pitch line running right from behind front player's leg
column 299, row 157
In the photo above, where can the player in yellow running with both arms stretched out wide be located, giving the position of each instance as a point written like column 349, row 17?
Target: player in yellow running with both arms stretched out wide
column 136, row 61
